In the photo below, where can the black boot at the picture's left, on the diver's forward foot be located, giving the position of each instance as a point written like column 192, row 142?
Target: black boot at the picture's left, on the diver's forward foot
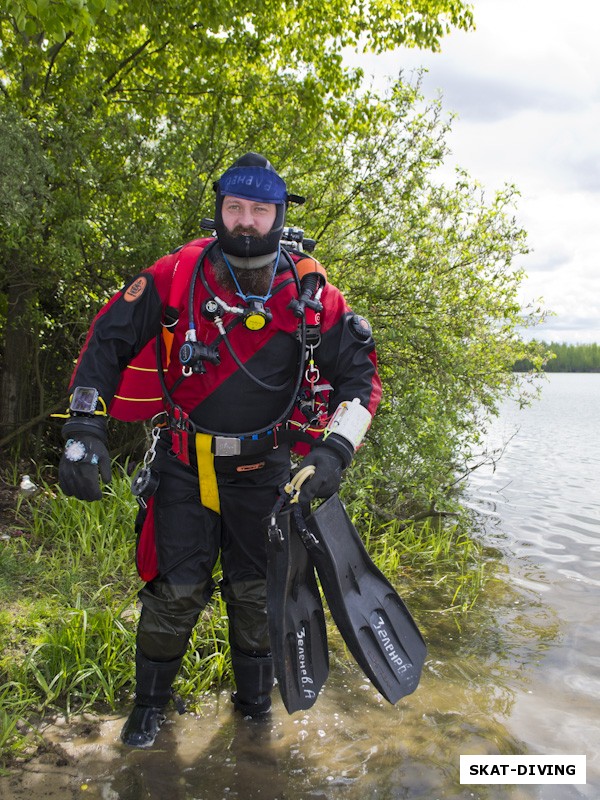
column 153, row 692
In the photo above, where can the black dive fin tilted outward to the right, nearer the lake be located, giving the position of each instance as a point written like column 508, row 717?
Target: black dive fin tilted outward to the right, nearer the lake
column 372, row 619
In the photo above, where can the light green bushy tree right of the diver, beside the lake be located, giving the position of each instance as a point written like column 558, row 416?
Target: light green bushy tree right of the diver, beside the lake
column 435, row 270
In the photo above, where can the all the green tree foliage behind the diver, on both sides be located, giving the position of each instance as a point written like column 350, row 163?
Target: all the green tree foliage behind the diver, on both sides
column 115, row 118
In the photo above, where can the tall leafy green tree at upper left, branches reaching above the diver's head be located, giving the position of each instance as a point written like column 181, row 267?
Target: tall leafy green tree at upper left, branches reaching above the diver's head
column 115, row 118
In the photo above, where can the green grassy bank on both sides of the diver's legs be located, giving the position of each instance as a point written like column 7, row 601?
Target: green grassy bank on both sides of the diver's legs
column 68, row 620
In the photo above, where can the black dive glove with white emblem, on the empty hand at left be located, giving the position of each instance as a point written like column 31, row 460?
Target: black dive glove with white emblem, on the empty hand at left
column 85, row 456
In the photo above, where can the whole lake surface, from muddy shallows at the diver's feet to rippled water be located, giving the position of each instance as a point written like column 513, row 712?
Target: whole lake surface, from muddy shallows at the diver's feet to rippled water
column 518, row 675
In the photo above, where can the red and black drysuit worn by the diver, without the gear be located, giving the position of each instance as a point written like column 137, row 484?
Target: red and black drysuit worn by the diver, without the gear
column 224, row 399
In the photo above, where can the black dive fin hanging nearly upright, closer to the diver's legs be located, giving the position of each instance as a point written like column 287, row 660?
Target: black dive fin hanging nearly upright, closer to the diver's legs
column 296, row 619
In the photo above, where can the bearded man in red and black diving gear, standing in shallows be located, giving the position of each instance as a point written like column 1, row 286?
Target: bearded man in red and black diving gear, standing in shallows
column 221, row 327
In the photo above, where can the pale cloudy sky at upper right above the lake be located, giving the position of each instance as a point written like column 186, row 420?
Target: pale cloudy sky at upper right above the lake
column 526, row 90
